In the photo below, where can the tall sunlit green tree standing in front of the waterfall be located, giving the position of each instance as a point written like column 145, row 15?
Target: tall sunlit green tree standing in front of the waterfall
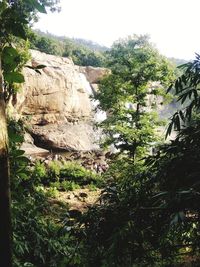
column 124, row 94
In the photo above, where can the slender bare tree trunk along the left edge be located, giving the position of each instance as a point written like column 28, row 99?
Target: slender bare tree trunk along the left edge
column 5, row 215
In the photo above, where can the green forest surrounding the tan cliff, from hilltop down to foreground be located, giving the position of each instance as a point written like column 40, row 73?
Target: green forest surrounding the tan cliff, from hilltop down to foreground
column 146, row 210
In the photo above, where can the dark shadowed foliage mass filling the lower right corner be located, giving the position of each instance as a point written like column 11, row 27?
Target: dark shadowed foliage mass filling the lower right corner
column 149, row 214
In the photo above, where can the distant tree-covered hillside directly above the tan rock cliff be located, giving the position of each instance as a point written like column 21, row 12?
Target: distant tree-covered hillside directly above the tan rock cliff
column 82, row 52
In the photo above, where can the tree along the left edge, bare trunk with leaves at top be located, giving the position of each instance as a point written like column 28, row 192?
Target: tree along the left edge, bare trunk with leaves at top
column 15, row 17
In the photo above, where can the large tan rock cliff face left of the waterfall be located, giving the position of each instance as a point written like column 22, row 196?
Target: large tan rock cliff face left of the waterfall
column 56, row 103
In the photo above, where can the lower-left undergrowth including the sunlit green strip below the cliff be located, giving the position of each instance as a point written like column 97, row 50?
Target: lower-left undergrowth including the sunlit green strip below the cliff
column 40, row 235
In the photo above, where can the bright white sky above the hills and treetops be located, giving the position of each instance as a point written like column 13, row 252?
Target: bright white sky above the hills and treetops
column 171, row 24
